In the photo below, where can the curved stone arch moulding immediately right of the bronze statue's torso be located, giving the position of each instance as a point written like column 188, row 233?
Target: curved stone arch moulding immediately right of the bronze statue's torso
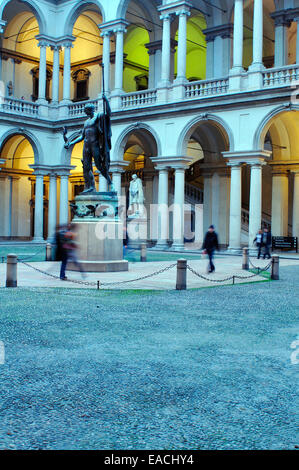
column 145, row 131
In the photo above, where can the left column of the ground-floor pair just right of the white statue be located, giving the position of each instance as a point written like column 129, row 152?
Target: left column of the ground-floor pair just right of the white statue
column 163, row 210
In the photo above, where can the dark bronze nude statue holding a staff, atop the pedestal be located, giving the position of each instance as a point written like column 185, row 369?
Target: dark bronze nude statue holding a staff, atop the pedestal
column 96, row 134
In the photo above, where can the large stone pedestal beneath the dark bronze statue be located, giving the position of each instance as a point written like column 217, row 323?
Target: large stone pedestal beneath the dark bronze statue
column 100, row 232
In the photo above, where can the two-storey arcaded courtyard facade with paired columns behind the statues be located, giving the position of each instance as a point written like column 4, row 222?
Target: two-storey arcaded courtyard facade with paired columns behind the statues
column 205, row 111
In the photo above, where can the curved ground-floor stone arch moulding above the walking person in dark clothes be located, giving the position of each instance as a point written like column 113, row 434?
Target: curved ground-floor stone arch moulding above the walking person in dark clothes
column 212, row 121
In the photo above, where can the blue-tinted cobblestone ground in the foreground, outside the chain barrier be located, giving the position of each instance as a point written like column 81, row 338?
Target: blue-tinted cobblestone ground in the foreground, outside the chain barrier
column 199, row 369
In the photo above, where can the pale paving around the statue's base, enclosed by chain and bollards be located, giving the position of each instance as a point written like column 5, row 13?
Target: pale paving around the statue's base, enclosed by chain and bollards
column 226, row 266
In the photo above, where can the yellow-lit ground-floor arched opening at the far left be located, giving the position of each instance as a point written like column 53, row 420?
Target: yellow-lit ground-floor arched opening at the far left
column 17, row 190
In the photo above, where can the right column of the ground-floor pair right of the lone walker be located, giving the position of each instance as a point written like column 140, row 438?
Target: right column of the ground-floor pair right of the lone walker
column 255, row 205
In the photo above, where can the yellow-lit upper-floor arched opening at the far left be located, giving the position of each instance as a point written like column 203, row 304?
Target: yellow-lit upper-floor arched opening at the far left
column 20, row 52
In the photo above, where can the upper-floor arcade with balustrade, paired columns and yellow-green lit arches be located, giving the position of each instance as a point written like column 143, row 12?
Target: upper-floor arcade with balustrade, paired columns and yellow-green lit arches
column 153, row 52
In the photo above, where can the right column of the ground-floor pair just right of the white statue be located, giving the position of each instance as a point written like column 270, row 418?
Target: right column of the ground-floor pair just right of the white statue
column 178, row 210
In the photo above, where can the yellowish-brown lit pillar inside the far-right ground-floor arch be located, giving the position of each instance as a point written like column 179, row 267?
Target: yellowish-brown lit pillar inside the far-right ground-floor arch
column 280, row 194
